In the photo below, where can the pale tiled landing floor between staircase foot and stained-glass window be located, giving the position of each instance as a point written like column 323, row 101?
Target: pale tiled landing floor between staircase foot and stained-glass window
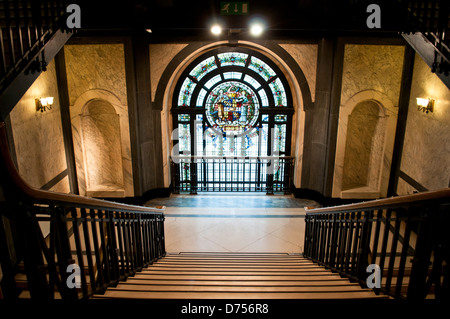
column 235, row 223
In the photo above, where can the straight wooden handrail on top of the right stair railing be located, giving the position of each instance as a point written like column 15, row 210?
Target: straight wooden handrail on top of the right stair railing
column 385, row 202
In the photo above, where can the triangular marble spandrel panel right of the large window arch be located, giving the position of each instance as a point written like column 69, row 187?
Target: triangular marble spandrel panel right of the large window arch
column 306, row 57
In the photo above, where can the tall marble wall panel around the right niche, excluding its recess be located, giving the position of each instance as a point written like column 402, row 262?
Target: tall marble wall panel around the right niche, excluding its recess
column 370, row 73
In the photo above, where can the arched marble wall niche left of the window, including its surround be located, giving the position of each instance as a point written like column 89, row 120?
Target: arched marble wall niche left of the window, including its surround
column 100, row 130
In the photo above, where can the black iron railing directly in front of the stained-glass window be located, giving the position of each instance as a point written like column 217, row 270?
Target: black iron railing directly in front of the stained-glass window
column 232, row 174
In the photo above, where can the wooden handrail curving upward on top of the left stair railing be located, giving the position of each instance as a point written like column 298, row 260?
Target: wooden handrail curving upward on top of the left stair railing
column 48, row 197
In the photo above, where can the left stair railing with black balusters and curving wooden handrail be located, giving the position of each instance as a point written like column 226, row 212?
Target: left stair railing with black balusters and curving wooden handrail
column 93, row 244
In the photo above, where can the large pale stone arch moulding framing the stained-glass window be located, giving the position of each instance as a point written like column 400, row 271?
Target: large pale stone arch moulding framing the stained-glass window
column 298, row 84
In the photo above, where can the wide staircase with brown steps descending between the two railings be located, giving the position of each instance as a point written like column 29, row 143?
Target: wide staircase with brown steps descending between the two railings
column 236, row 276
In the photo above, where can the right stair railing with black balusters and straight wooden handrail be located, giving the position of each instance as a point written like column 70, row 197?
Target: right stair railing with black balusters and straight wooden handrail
column 398, row 246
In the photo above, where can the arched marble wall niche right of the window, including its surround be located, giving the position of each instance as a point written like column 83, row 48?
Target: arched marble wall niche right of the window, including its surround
column 365, row 142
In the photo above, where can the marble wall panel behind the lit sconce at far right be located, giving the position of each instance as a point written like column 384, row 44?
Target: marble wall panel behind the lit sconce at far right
column 426, row 150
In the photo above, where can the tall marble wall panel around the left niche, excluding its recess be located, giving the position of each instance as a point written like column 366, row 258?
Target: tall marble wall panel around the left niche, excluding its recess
column 97, row 72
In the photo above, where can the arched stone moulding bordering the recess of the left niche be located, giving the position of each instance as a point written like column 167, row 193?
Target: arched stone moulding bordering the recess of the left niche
column 76, row 112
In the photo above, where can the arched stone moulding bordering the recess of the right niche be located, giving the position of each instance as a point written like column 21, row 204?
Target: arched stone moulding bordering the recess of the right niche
column 383, row 139
